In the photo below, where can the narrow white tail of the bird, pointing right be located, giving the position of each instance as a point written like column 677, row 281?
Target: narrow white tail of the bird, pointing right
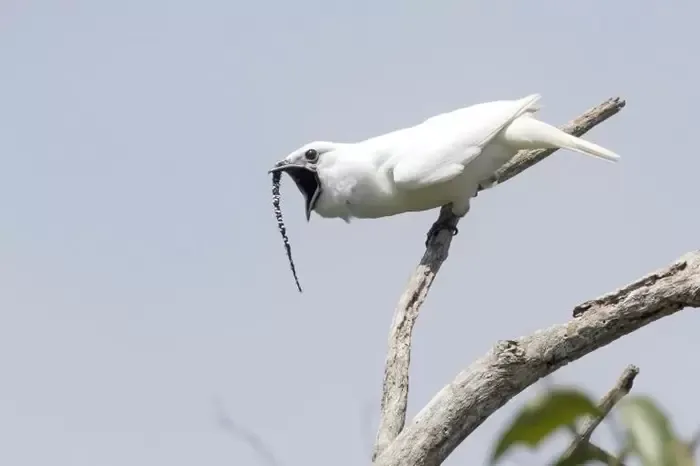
column 528, row 133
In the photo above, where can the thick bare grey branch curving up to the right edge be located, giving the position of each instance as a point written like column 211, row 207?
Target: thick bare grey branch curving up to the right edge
column 513, row 365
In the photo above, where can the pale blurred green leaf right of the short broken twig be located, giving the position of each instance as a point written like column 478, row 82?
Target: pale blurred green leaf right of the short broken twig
column 649, row 432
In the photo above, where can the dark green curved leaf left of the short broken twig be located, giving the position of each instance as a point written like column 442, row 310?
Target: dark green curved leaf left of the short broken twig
column 540, row 418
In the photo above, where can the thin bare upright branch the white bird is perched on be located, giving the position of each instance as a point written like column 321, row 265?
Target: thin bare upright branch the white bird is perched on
column 395, row 387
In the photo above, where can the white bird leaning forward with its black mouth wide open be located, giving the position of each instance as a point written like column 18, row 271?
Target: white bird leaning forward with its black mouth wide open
column 444, row 160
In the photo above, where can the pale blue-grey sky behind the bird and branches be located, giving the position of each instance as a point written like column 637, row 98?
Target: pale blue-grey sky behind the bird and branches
column 142, row 275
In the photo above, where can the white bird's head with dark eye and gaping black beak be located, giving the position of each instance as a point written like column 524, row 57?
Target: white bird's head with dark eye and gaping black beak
column 303, row 166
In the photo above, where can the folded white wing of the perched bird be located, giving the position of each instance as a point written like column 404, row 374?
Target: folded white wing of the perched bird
column 441, row 147
